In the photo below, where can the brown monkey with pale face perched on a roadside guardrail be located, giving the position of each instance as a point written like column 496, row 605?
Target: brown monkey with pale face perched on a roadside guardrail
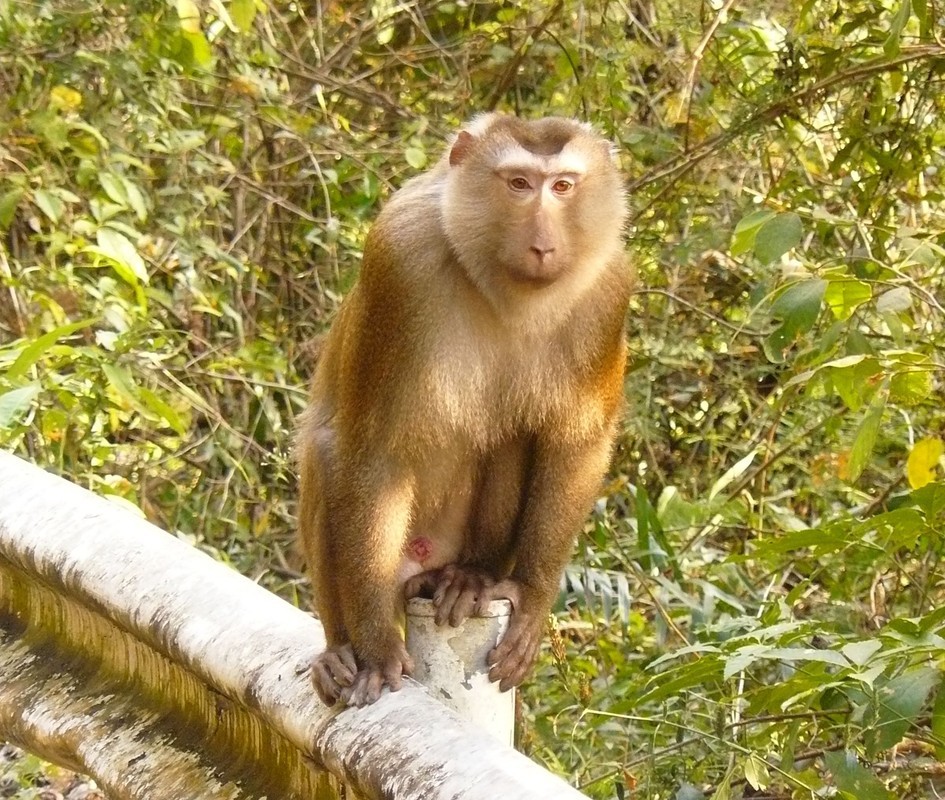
column 465, row 401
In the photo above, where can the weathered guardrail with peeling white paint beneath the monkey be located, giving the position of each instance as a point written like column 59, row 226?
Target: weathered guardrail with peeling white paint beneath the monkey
column 127, row 654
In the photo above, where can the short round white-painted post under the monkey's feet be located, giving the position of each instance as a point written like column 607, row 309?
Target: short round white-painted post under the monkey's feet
column 451, row 663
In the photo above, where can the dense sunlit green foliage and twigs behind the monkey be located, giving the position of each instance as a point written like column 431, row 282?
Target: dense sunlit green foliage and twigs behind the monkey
column 755, row 606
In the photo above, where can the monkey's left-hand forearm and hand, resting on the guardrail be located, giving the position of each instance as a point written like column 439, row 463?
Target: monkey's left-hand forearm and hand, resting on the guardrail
column 368, row 527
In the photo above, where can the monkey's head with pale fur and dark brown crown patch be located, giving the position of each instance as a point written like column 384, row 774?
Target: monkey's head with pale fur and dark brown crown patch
column 531, row 204
